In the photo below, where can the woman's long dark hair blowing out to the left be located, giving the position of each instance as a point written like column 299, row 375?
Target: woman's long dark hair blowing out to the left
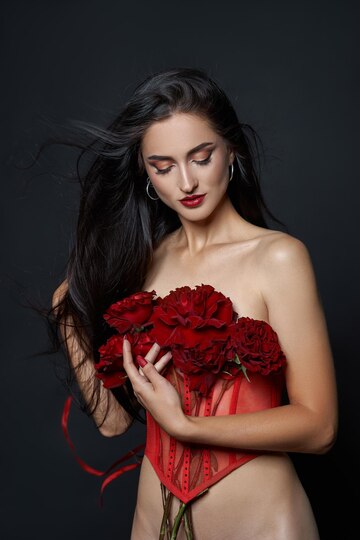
column 119, row 226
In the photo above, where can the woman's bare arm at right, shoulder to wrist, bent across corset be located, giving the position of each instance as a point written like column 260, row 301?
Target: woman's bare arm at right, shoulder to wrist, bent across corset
column 309, row 422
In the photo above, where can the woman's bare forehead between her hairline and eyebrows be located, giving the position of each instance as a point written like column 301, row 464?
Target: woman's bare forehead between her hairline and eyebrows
column 175, row 135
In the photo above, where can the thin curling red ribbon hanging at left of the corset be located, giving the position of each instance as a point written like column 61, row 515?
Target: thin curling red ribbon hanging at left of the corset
column 88, row 468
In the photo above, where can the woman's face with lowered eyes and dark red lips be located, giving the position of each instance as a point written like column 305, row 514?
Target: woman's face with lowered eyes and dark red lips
column 184, row 156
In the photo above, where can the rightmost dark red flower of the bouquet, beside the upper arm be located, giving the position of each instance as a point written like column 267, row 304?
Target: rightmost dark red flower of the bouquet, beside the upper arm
column 257, row 345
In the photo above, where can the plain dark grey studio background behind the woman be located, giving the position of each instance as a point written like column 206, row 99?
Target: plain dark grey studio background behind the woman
column 291, row 70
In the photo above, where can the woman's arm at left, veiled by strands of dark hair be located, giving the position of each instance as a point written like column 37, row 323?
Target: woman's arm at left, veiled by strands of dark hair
column 117, row 420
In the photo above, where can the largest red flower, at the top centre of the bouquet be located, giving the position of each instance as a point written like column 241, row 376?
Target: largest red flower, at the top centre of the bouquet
column 192, row 317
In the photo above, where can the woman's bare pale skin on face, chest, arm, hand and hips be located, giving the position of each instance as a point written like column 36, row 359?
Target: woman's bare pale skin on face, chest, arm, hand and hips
column 268, row 275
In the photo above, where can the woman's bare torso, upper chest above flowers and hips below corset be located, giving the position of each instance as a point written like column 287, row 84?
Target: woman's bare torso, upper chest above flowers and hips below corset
column 263, row 499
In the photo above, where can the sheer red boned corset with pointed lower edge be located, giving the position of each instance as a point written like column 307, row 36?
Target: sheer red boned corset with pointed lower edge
column 188, row 469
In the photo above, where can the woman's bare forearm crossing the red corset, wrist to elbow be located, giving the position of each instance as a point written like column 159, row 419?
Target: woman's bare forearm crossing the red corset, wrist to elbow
column 287, row 428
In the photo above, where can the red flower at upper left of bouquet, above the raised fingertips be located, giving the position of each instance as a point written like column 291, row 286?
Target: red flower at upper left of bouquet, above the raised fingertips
column 131, row 312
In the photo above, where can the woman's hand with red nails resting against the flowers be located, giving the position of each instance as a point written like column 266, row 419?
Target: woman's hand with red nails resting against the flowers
column 155, row 393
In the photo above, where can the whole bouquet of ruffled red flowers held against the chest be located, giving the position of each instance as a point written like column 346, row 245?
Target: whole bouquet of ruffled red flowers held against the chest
column 199, row 326
